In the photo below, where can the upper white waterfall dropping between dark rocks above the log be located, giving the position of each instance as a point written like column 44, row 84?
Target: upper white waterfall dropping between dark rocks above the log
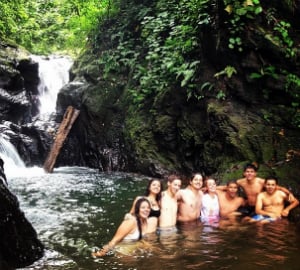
column 54, row 74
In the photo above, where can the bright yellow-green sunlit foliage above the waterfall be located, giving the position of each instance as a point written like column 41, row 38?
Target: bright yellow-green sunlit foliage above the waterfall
column 43, row 26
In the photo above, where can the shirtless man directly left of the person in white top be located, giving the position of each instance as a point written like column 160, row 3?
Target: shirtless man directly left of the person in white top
column 190, row 200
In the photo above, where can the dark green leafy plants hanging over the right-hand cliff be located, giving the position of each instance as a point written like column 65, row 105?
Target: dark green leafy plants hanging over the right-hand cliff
column 166, row 54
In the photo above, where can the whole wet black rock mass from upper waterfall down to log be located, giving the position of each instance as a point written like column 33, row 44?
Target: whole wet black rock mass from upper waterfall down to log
column 19, row 79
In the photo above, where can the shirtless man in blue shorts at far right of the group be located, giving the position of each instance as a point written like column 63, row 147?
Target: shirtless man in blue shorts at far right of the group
column 270, row 203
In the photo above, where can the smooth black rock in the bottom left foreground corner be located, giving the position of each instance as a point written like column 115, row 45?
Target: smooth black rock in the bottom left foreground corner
column 19, row 244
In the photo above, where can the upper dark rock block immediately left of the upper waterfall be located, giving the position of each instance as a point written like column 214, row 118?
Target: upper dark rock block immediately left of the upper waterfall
column 18, row 85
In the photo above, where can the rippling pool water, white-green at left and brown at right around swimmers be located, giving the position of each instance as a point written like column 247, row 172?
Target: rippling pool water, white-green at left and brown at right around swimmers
column 77, row 209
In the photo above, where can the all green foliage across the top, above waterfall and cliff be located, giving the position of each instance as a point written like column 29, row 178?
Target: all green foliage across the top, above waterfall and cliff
column 159, row 44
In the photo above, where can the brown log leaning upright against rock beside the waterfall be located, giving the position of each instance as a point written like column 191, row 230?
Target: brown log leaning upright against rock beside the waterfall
column 69, row 118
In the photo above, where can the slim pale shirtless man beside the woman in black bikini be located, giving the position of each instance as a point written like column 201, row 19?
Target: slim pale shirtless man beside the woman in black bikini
column 168, row 211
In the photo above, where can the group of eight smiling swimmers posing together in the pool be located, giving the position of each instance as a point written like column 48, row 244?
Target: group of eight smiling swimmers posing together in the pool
column 202, row 200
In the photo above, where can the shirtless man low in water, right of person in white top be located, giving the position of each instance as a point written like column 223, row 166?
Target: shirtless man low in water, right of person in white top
column 230, row 201
